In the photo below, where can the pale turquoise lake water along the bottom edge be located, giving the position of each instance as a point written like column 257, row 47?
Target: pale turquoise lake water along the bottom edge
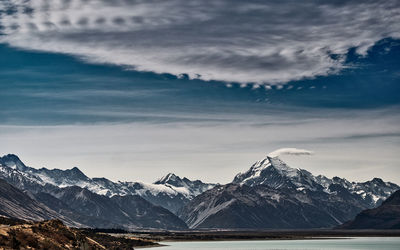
column 381, row 243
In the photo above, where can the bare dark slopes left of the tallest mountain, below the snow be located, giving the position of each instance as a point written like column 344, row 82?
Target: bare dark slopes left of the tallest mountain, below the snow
column 81, row 208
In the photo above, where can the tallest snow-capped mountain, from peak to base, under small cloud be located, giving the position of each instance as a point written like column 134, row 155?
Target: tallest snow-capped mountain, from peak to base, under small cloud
column 273, row 195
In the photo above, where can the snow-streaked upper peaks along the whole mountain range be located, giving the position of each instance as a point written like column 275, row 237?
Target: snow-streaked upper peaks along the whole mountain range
column 270, row 171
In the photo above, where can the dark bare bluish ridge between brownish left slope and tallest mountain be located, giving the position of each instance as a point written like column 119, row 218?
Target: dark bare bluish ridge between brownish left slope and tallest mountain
column 130, row 212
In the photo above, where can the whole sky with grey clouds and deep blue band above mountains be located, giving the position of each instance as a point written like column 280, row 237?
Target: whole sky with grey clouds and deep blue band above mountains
column 133, row 90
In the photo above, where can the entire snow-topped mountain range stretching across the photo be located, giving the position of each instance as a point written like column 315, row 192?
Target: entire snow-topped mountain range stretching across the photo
column 269, row 195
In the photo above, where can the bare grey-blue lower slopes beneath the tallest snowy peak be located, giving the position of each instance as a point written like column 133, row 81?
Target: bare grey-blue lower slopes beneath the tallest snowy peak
column 242, row 206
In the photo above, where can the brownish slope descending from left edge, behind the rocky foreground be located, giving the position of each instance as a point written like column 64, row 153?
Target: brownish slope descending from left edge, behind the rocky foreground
column 16, row 204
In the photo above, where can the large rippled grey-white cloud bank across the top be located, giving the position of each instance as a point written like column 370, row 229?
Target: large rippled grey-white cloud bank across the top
column 234, row 41
